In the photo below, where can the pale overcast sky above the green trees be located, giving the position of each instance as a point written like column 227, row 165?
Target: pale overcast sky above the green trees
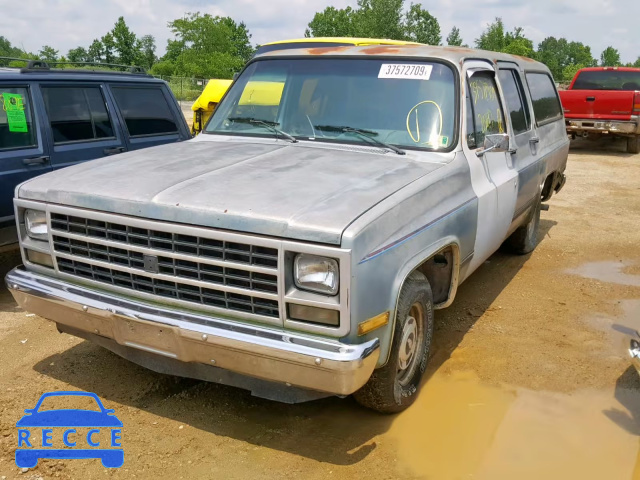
column 65, row 24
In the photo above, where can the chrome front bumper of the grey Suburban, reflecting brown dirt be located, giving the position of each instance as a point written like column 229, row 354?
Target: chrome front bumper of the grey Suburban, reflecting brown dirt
column 265, row 353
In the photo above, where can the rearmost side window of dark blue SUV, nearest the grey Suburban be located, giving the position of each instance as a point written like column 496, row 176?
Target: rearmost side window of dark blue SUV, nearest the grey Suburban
column 145, row 111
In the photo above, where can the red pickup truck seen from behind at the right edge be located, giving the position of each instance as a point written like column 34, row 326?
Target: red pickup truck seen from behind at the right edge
column 604, row 101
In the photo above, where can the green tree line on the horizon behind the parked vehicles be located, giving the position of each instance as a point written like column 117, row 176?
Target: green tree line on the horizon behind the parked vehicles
column 205, row 46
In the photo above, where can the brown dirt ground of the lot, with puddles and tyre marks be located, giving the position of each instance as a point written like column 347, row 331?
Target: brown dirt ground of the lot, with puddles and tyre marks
column 528, row 379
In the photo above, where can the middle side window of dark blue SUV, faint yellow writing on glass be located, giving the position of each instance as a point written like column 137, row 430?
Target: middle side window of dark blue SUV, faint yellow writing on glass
column 77, row 114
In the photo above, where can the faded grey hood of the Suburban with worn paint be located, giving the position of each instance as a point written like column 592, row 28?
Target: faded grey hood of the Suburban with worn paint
column 285, row 190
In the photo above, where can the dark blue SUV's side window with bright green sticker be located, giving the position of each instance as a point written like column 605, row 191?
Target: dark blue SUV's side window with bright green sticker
column 16, row 124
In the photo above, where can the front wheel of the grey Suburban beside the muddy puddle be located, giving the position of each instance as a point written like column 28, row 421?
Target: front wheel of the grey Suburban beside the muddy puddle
column 393, row 387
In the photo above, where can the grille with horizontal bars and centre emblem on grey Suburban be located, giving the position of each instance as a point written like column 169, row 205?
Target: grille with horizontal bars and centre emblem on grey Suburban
column 212, row 272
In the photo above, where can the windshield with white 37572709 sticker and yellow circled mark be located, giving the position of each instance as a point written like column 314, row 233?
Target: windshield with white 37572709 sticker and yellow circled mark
column 359, row 101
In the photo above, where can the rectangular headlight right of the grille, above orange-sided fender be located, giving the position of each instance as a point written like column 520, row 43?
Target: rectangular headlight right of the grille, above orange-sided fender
column 316, row 274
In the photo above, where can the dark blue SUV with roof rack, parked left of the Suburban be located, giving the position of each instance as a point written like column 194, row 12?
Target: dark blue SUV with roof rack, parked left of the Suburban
column 53, row 118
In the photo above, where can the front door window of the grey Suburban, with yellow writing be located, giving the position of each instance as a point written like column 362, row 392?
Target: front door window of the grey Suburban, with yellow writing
column 488, row 117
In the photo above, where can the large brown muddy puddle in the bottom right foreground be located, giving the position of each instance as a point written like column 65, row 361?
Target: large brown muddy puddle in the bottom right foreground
column 460, row 428
